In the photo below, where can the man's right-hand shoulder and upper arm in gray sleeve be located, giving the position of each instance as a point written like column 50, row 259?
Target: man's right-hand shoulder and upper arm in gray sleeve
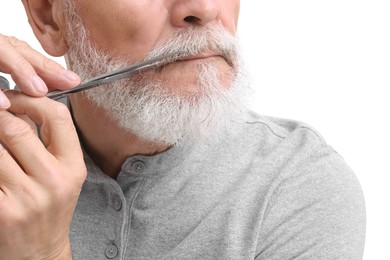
column 315, row 205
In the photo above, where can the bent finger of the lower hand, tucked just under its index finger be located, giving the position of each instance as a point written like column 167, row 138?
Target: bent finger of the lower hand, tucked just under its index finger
column 24, row 146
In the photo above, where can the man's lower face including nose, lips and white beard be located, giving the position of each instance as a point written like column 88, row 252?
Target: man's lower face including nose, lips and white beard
column 187, row 98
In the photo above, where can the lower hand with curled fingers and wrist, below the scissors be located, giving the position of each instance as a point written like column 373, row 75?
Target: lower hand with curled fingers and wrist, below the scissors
column 40, row 181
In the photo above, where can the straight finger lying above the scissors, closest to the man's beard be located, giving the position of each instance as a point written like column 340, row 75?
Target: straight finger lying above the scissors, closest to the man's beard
column 54, row 75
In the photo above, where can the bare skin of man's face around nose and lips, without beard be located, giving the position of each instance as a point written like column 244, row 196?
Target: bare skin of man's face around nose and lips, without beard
column 131, row 28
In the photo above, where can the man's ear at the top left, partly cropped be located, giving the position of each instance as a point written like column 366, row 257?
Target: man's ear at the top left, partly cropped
column 46, row 21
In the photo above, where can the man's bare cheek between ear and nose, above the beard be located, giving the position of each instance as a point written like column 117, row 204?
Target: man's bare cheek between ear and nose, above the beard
column 125, row 28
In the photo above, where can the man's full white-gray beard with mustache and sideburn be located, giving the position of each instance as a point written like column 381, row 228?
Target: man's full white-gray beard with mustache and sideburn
column 146, row 107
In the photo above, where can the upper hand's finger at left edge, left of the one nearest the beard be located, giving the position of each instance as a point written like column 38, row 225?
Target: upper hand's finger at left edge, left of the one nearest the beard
column 22, row 72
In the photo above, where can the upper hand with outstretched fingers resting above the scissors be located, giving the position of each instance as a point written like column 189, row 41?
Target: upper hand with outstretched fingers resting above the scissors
column 32, row 72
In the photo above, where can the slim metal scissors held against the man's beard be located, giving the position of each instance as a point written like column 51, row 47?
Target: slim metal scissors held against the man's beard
column 111, row 76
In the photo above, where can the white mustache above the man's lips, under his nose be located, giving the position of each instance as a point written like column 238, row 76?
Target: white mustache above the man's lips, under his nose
column 196, row 40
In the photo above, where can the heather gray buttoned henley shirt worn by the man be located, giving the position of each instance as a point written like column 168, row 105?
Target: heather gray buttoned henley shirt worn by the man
column 267, row 189
